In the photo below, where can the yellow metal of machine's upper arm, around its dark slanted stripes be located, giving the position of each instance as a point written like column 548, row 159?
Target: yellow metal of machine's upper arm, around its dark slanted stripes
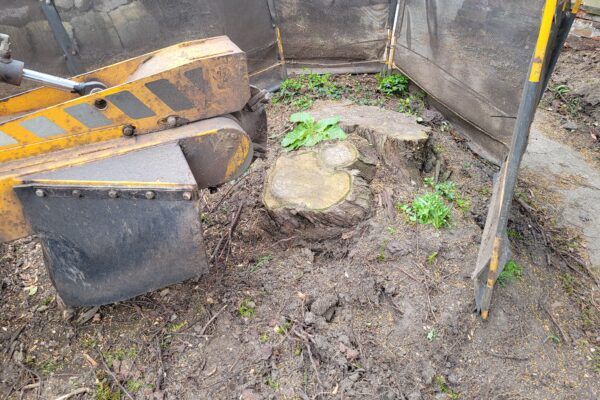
column 222, row 88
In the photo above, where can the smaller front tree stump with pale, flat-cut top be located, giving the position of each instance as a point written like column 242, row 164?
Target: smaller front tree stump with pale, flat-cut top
column 321, row 191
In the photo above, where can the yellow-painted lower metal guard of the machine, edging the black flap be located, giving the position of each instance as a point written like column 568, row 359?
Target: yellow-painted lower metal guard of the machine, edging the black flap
column 12, row 222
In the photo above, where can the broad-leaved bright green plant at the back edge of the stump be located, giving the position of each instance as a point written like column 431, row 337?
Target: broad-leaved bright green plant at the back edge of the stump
column 309, row 132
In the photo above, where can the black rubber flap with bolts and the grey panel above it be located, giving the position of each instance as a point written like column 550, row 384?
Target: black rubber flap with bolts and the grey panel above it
column 112, row 242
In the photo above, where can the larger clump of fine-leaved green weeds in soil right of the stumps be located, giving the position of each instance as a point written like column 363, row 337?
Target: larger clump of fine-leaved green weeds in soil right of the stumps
column 428, row 209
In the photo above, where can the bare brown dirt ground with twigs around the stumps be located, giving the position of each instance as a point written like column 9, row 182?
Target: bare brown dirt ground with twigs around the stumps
column 384, row 312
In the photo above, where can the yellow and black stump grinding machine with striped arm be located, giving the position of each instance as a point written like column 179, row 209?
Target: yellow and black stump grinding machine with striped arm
column 106, row 168
